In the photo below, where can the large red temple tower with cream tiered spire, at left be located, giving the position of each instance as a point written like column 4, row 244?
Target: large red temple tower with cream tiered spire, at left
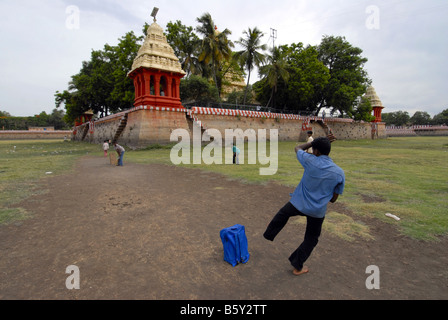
column 156, row 72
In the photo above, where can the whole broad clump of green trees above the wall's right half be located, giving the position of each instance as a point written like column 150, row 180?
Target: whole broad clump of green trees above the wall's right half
column 329, row 75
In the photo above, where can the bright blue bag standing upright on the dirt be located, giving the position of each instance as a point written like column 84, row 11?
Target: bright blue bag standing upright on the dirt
column 234, row 241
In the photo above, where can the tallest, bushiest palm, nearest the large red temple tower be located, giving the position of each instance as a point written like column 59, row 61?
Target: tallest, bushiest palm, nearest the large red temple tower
column 215, row 48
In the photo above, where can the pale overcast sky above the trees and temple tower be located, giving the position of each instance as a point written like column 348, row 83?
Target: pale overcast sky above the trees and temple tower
column 43, row 42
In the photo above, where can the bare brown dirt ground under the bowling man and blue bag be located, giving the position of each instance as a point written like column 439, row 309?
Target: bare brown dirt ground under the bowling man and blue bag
column 152, row 232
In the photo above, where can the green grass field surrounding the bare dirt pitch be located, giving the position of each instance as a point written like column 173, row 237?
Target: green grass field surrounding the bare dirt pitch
column 407, row 177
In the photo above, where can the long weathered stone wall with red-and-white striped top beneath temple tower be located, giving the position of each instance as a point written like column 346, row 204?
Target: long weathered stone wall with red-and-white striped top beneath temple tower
column 148, row 125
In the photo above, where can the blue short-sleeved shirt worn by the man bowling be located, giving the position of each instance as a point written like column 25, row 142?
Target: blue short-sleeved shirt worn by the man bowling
column 321, row 179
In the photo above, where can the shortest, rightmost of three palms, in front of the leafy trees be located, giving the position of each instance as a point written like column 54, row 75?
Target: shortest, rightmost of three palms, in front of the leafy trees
column 275, row 69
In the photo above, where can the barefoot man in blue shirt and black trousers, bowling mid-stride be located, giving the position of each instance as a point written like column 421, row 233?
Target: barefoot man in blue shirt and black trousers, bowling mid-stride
column 322, row 182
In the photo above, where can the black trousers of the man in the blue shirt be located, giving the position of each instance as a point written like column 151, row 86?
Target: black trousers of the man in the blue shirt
column 312, row 233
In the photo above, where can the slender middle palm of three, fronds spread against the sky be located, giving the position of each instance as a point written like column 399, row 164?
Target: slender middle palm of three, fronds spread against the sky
column 250, row 56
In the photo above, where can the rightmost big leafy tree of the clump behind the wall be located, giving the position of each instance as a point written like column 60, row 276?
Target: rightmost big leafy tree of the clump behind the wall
column 348, row 79
